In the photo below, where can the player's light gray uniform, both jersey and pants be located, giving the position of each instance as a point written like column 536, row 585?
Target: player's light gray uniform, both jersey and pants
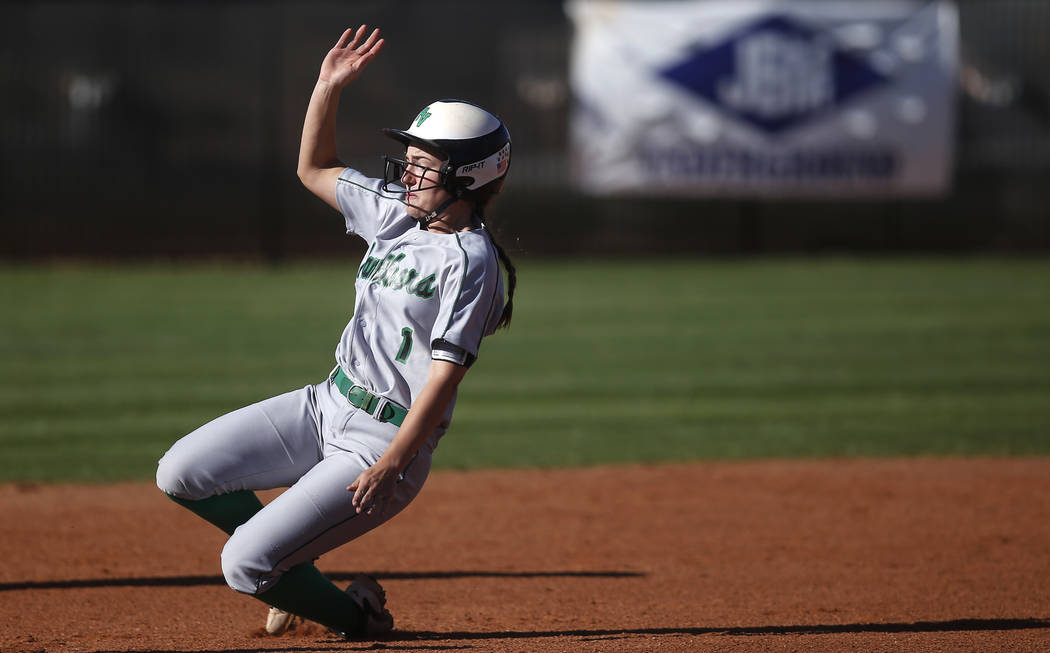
column 421, row 296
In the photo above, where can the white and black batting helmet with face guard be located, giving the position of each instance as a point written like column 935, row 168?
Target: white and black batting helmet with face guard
column 475, row 143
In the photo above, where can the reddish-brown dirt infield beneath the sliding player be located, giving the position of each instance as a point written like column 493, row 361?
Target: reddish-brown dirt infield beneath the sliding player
column 783, row 556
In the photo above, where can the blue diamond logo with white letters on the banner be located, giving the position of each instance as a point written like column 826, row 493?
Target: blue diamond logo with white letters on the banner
column 775, row 75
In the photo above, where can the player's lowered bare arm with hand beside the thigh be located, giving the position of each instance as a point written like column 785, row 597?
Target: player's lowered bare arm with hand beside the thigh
column 376, row 485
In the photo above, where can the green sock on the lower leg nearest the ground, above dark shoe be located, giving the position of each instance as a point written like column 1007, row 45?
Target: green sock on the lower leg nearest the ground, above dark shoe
column 304, row 591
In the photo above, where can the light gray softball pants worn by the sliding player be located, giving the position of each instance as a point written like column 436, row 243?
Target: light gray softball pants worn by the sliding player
column 312, row 441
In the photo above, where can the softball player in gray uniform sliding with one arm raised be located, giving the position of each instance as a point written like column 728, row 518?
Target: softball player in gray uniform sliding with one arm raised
column 355, row 449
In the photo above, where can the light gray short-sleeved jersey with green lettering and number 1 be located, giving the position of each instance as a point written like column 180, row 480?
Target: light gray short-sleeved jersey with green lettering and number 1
column 421, row 296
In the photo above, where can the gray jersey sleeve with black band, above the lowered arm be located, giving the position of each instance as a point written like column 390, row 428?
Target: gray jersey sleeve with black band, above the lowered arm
column 471, row 302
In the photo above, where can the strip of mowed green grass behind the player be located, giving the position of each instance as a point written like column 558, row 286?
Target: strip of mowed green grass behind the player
column 607, row 362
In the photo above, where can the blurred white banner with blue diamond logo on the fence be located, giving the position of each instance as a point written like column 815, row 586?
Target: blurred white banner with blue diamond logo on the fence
column 744, row 98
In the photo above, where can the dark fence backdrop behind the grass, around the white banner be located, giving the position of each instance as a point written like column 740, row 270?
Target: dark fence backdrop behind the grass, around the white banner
column 170, row 130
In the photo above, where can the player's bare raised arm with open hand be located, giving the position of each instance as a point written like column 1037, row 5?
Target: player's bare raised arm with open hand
column 320, row 165
